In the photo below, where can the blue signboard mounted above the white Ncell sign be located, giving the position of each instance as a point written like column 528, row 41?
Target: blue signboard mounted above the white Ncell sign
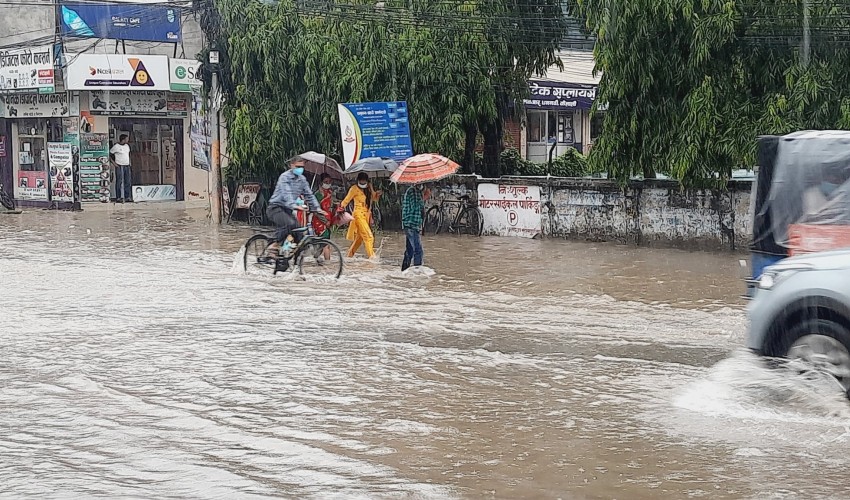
column 146, row 23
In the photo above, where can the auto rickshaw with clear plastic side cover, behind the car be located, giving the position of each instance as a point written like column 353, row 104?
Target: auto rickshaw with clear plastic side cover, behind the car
column 801, row 201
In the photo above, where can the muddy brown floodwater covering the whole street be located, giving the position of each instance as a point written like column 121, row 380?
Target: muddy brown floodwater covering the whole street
column 137, row 361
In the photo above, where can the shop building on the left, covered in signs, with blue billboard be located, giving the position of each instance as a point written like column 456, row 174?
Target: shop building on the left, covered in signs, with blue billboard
column 65, row 101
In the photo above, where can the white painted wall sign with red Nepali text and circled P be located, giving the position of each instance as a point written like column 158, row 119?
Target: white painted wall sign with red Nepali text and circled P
column 510, row 210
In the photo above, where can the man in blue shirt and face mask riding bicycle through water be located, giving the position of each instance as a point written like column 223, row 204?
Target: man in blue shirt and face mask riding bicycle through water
column 285, row 201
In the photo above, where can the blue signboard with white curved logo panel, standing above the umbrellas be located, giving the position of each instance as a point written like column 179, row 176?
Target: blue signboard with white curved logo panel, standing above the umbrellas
column 375, row 129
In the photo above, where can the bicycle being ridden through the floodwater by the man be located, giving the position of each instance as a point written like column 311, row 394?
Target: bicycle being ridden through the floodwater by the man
column 312, row 255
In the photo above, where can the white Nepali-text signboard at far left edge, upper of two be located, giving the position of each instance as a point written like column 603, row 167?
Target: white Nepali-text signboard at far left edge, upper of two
column 27, row 70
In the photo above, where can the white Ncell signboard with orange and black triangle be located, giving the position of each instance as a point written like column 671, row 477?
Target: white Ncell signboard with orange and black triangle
column 116, row 71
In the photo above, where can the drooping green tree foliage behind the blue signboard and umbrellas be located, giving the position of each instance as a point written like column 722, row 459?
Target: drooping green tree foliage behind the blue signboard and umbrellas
column 462, row 66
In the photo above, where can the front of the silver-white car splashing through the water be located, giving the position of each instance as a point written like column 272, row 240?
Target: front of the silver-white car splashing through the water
column 801, row 309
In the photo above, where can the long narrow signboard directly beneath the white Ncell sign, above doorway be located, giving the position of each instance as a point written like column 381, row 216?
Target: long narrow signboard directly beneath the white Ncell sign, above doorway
column 136, row 102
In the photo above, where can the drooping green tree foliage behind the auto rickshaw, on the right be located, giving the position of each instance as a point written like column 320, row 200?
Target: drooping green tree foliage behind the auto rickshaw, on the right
column 690, row 84
